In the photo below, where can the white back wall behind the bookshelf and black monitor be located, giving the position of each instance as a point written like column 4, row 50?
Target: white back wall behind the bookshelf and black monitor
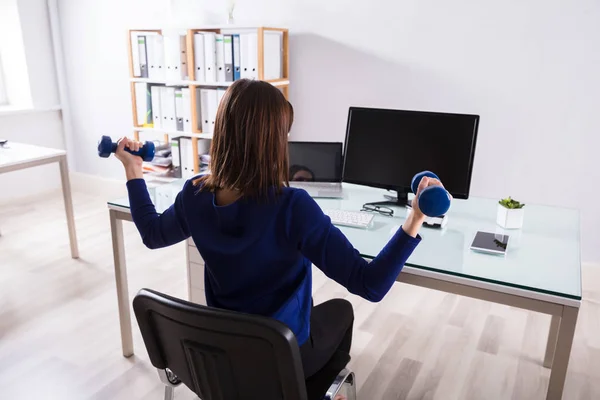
column 530, row 69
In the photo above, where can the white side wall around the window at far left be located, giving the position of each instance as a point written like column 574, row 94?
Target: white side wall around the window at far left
column 39, row 126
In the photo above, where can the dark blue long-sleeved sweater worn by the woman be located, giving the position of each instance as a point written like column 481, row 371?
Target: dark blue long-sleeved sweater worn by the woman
column 258, row 254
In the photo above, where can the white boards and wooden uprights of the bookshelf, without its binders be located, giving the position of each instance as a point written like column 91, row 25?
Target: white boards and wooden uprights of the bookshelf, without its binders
column 196, row 134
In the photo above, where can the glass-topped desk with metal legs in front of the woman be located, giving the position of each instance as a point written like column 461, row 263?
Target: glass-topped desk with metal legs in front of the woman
column 541, row 270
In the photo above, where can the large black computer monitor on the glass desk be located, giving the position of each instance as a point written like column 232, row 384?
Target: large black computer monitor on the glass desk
column 386, row 148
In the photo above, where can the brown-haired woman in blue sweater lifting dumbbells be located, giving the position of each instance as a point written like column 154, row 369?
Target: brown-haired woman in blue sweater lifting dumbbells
column 259, row 237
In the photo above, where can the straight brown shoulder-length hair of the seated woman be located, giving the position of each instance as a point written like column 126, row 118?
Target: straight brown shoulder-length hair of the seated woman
column 249, row 147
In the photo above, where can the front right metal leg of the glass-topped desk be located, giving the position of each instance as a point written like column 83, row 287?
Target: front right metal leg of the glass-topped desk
column 564, row 342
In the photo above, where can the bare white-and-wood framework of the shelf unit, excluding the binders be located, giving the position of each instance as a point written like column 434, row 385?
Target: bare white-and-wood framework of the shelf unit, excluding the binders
column 282, row 83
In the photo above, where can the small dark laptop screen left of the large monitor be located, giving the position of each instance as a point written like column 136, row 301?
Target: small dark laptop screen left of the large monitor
column 315, row 161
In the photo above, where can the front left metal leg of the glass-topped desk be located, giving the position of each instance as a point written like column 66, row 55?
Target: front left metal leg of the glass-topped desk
column 116, row 229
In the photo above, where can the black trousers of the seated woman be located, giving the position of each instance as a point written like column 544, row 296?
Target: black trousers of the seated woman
column 330, row 330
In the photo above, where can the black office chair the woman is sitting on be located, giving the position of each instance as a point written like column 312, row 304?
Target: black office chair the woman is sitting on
column 225, row 355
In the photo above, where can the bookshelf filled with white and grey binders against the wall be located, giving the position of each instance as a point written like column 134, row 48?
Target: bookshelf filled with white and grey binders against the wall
column 191, row 69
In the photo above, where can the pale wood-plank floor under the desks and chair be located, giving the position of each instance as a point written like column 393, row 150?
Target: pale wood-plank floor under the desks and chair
column 59, row 331
